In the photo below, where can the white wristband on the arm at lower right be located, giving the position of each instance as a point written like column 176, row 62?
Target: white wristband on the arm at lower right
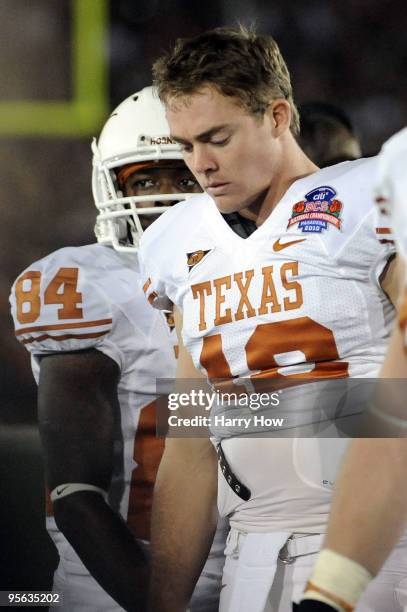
column 337, row 580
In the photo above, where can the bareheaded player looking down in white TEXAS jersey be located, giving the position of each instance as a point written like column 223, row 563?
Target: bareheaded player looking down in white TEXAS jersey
column 277, row 273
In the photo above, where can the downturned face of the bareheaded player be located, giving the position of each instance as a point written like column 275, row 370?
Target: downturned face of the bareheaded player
column 231, row 153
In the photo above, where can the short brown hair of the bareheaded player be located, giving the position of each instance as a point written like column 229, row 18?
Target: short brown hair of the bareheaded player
column 237, row 61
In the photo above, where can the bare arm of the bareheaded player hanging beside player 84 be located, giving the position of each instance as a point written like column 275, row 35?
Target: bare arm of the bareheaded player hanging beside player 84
column 184, row 511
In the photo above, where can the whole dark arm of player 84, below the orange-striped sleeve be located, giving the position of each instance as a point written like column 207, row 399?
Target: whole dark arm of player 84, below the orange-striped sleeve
column 78, row 413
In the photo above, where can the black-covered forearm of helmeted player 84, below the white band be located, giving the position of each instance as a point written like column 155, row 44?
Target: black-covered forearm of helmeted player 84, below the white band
column 105, row 546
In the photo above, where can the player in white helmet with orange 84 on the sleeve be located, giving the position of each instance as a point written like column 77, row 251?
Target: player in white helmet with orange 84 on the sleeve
column 96, row 350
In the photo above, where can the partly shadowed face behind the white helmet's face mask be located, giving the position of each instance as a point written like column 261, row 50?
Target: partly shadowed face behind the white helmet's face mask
column 165, row 177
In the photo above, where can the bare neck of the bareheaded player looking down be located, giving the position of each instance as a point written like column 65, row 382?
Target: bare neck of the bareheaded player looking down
column 293, row 165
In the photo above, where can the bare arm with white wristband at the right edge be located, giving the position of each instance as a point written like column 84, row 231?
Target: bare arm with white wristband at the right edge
column 370, row 495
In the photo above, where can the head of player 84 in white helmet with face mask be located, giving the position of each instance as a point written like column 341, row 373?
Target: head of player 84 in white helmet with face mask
column 138, row 171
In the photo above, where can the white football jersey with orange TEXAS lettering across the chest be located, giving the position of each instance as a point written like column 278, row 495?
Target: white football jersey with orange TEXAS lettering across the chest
column 299, row 298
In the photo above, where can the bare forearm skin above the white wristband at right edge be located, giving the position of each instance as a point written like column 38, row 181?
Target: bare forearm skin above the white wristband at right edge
column 369, row 510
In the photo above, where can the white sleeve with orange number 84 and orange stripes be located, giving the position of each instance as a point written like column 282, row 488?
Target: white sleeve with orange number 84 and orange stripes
column 58, row 305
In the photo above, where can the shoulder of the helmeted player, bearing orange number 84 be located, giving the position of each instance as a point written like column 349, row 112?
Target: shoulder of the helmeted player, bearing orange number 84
column 72, row 289
